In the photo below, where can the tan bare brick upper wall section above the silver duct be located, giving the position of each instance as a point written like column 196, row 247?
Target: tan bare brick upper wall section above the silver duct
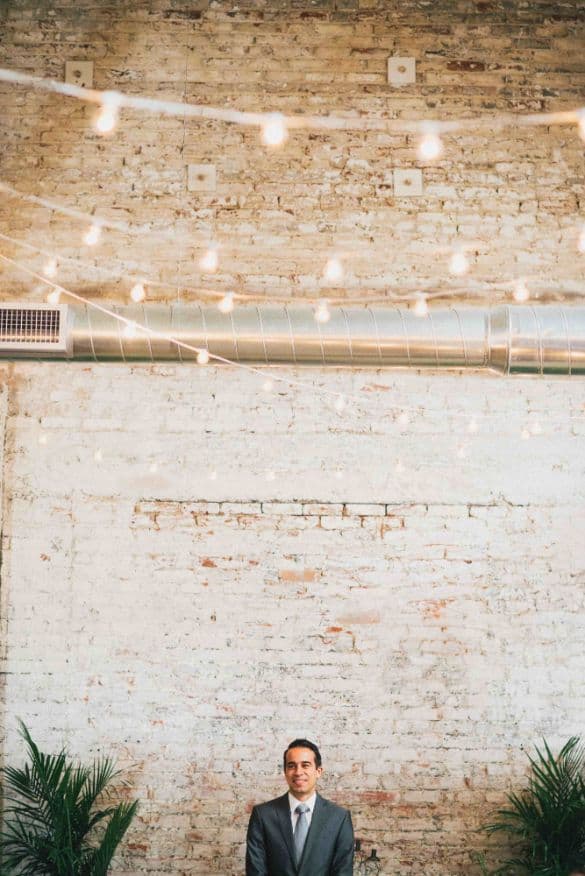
column 513, row 197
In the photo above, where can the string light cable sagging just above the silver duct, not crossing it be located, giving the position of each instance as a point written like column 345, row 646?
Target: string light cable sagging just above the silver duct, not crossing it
column 412, row 294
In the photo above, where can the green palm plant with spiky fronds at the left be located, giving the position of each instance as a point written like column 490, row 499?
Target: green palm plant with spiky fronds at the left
column 55, row 819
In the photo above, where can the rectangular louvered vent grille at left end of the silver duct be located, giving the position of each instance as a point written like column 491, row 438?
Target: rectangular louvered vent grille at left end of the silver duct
column 33, row 328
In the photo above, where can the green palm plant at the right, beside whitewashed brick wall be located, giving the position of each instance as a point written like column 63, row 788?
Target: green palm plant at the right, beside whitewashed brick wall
column 546, row 821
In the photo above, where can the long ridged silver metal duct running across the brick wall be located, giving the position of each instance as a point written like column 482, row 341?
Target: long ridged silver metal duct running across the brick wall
column 510, row 339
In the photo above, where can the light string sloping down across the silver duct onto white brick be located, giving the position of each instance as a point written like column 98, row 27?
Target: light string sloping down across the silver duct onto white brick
column 401, row 413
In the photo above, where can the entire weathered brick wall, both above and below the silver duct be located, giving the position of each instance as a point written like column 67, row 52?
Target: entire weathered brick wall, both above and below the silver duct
column 195, row 570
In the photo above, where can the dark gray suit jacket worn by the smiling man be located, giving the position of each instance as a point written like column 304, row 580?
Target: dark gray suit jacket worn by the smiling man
column 328, row 848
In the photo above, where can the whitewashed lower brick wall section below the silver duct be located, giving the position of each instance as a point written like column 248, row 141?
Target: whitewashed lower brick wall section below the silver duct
column 423, row 625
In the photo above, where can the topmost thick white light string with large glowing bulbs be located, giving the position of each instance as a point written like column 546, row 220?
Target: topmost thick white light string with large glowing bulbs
column 114, row 100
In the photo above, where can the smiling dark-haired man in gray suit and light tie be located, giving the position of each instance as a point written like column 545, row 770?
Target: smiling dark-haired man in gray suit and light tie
column 300, row 833
